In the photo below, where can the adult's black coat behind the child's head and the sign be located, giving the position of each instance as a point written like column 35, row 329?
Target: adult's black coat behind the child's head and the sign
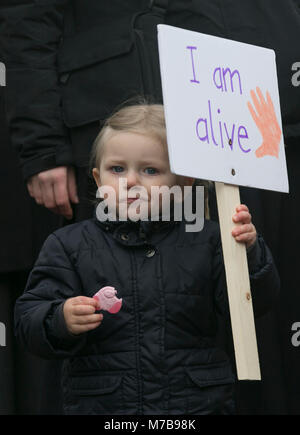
column 69, row 65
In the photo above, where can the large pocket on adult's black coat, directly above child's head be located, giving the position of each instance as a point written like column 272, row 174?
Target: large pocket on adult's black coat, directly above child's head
column 102, row 68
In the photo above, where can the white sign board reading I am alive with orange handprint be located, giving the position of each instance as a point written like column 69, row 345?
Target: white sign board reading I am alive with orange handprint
column 222, row 110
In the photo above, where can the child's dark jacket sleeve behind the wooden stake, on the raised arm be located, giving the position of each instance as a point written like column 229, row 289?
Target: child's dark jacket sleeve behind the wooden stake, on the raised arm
column 264, row 279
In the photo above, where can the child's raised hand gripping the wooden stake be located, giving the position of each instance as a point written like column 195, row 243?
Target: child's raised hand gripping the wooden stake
column 245, row 232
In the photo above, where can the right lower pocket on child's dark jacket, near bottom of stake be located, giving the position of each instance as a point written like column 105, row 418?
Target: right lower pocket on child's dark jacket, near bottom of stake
column 210, row 389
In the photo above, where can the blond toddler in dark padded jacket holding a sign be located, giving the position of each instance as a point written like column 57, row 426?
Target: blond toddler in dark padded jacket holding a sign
column 158, row 354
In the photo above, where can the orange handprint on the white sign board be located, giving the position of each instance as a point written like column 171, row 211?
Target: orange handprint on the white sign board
column 267, row 123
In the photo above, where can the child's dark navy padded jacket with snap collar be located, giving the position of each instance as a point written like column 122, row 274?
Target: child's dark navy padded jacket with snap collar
column 158, row 355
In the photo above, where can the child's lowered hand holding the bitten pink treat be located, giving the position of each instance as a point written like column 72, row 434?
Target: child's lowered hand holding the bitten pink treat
column 79, row 314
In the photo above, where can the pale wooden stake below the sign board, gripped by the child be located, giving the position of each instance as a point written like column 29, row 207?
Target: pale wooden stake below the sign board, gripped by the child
column 238, row 286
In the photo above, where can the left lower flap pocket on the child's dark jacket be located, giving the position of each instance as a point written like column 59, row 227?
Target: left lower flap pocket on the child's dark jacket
column 95, row 395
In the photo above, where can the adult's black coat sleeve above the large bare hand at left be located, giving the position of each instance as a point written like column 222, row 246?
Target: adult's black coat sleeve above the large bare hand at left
column 30, row 33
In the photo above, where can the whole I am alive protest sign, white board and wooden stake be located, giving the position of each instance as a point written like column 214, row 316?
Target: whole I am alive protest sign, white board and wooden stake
column 223, row 122
